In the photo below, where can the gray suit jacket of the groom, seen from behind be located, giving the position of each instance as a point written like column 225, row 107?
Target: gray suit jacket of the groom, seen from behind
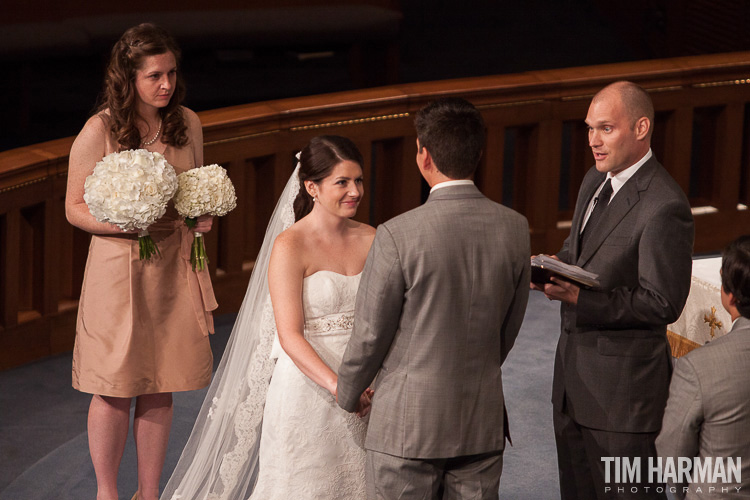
column 440, row 303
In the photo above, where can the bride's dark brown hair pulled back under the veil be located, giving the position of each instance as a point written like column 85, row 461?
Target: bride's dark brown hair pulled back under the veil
column 317, row 161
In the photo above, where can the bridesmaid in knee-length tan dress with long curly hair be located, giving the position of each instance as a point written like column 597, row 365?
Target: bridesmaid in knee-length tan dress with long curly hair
column 142, row 325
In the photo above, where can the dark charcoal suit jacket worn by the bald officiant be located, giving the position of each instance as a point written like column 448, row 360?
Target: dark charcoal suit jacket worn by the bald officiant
column 612, row 365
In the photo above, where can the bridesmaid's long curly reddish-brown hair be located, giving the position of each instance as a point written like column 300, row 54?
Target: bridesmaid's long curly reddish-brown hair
column 120, row 95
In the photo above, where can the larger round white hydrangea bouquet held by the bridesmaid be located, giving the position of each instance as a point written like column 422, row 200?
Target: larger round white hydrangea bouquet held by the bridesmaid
column 131, row 189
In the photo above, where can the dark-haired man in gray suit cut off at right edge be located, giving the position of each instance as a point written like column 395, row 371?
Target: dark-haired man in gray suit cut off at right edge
column 707, row 413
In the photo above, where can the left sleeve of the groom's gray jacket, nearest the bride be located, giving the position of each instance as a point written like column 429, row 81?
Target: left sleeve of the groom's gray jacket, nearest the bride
column 376, row 319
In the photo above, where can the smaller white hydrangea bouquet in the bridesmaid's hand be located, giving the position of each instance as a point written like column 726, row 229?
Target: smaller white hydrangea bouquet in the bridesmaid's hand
column 202, row 191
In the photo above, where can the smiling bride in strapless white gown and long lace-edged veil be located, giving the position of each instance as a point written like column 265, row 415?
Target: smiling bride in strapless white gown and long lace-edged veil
column 290, row 436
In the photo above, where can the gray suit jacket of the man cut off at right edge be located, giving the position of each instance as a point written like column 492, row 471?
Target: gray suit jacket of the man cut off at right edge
column 707, row 412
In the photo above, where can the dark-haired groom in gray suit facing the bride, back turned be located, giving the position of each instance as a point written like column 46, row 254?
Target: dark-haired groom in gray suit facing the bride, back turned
column 440, row 303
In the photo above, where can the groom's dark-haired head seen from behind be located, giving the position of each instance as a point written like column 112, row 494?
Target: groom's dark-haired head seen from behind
column 453, row 132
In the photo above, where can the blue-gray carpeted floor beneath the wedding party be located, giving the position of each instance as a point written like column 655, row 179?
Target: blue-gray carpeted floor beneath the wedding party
column 44, row 449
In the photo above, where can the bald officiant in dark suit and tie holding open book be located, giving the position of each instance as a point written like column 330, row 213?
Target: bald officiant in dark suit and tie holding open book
column 632, row 226
